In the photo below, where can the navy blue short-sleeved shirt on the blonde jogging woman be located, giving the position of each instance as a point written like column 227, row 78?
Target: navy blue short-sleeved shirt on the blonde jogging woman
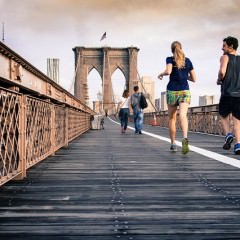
column 178, row 77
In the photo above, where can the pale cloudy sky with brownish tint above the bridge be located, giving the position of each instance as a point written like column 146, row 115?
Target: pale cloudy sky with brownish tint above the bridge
column 41, row 29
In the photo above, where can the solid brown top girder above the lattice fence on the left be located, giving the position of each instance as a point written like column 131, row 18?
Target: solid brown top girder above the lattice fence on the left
column 18, row 74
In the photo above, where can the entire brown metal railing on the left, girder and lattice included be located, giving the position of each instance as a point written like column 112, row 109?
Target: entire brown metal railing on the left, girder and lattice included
column 37, row 116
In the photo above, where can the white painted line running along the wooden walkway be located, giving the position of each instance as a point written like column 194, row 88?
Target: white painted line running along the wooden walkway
column 218, row 157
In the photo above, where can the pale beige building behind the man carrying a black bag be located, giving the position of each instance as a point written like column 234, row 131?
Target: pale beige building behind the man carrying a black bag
column 147, row 86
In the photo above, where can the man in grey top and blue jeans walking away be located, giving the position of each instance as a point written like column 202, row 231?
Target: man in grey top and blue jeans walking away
column 137, row 110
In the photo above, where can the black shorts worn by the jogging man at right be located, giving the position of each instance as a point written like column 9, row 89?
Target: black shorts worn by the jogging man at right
column 229, row 105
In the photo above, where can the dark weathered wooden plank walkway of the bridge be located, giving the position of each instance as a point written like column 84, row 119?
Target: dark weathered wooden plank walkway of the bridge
column 106, row 186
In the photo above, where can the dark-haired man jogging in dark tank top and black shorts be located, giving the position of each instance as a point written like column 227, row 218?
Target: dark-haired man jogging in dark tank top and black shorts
column 229, row 79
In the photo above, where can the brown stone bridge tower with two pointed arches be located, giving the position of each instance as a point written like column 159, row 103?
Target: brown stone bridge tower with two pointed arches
column 105, row 60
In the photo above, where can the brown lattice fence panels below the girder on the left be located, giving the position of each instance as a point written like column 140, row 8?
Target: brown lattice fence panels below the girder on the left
column 32, row 129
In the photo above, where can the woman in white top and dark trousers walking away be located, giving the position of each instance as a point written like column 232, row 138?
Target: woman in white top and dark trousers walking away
column 124, row 110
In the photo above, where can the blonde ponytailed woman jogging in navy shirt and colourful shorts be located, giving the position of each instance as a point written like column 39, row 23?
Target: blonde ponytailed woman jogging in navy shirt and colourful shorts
column 181, row 70
